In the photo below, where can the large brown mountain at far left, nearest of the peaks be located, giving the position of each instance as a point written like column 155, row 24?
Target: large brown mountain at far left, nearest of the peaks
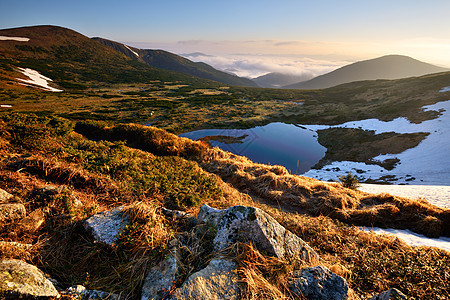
column 72, row 59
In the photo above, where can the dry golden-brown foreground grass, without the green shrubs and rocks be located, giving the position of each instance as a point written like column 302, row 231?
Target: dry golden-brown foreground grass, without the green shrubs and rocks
column 370, row 263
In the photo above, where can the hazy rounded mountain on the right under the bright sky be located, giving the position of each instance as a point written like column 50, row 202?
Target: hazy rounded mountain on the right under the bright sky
column 385, row 67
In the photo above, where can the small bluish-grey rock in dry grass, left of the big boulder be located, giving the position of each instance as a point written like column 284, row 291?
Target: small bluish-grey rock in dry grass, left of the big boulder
column 107, row 226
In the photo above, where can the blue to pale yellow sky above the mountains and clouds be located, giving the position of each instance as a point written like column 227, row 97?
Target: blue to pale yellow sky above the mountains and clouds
column 335, row 31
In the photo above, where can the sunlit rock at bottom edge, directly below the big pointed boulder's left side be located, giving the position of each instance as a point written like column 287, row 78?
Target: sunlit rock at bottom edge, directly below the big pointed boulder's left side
column 216, row 281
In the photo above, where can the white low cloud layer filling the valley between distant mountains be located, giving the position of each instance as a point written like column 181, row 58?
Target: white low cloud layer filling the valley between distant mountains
column 251, row 66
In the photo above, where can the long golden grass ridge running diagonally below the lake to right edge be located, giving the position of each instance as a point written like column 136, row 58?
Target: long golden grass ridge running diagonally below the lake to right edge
column 274, row 184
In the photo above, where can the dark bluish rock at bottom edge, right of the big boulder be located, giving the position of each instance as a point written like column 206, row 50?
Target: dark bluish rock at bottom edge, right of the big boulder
column 319, row 283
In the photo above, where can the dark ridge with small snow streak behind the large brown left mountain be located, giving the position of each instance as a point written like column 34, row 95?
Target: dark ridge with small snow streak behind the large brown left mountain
column 169, row 61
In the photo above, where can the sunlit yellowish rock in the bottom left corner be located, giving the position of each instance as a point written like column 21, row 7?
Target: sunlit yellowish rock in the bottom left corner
column 22, row 280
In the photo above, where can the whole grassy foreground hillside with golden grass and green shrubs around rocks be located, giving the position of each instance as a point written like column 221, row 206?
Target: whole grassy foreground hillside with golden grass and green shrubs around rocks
column 171, row 171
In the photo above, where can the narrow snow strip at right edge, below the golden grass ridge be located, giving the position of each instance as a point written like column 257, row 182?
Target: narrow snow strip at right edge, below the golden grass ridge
column 412, row 238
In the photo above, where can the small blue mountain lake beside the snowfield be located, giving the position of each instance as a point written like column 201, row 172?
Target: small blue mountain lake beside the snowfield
column 288, row 145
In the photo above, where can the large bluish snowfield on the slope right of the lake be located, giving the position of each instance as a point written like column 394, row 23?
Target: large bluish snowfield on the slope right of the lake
column 428, row 163
